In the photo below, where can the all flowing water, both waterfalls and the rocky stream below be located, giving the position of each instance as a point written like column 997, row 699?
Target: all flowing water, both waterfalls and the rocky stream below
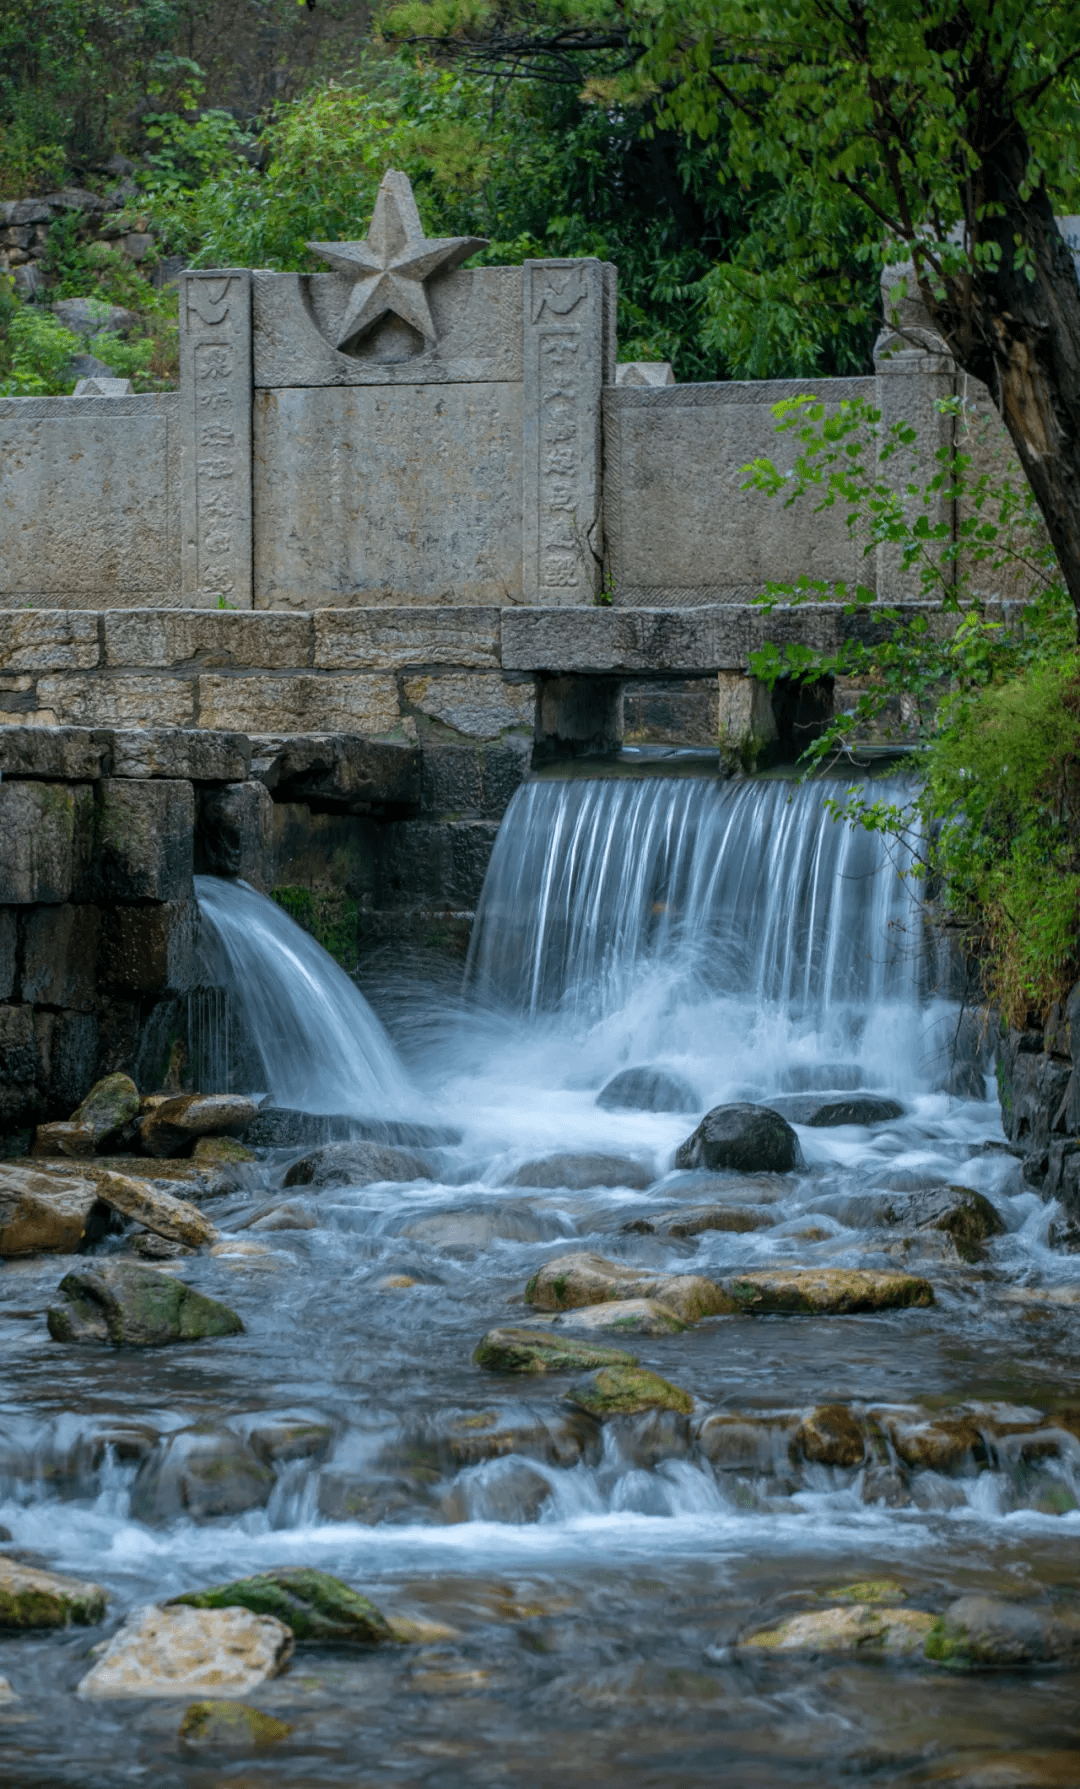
column 593, row 1582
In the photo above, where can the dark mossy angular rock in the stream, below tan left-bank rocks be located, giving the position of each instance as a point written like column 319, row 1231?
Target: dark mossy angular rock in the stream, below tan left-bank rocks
column 135, row 1307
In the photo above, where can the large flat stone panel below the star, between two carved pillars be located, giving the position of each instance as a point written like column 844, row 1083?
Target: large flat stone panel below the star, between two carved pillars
column 389, row 495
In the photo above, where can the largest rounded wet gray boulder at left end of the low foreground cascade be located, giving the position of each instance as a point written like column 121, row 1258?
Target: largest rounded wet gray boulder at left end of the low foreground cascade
column 201, row 1473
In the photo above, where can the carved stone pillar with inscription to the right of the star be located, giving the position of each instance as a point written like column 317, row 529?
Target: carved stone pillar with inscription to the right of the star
column 566, row 353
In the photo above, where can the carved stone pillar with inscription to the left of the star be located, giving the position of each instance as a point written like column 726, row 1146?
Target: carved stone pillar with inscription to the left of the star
column 217, row 439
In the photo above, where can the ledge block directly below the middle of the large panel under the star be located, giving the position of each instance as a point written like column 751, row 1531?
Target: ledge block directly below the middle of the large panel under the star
column 391, row 640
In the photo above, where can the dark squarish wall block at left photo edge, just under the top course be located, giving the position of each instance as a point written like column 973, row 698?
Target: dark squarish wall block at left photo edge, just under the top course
column 46, row 831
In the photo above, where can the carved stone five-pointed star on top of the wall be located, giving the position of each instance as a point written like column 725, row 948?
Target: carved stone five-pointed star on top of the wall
column 392, row 266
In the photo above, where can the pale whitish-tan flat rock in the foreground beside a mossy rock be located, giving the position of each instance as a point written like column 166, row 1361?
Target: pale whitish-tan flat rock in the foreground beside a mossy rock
column 190, row 1652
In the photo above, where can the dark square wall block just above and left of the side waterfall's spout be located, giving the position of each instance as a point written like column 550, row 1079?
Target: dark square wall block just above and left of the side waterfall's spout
column 146, row 835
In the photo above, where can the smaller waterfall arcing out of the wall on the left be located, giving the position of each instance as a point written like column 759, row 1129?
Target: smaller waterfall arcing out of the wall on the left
column 319, row 1042
